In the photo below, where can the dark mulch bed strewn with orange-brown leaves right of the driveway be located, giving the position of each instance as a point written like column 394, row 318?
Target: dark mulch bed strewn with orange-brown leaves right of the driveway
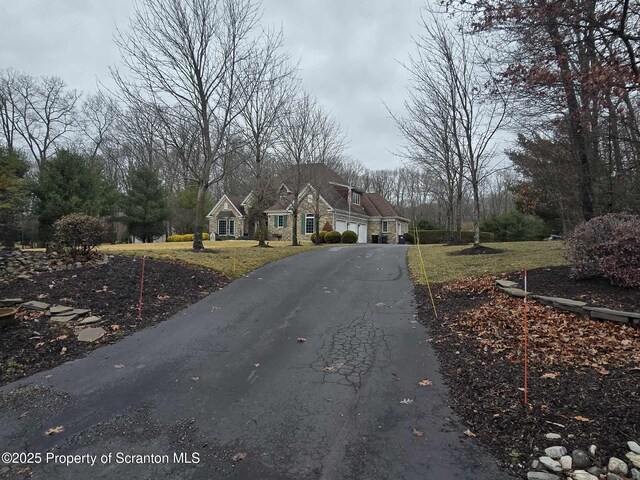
column 584, row 375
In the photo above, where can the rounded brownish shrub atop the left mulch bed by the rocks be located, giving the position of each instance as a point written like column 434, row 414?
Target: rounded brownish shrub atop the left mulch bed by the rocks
column 79, row 233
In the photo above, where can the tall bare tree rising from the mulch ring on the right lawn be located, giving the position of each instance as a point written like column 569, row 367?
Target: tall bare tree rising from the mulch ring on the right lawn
column 455, row 111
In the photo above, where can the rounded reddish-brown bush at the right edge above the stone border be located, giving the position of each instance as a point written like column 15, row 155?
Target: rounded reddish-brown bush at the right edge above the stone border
column 609, row 247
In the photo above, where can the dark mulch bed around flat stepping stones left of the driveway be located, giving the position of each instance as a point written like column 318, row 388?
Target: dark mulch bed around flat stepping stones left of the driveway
column 110, row 291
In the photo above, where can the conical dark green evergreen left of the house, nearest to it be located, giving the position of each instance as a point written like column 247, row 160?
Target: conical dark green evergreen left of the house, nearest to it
column 145, row 207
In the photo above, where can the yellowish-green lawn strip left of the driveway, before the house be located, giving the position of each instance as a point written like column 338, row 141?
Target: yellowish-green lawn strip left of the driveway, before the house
column 232, row 258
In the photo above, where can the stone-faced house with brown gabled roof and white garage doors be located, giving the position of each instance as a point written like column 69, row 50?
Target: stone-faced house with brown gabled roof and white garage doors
column 323, row 197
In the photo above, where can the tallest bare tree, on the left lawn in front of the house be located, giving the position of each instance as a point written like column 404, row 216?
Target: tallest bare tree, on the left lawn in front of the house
column 187, row 58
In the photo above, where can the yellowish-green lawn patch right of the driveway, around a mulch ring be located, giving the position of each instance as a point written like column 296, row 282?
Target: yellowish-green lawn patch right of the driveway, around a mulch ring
column 442, row 267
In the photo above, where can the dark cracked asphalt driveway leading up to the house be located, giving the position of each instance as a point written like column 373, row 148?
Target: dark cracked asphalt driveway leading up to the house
column 228, row 376
